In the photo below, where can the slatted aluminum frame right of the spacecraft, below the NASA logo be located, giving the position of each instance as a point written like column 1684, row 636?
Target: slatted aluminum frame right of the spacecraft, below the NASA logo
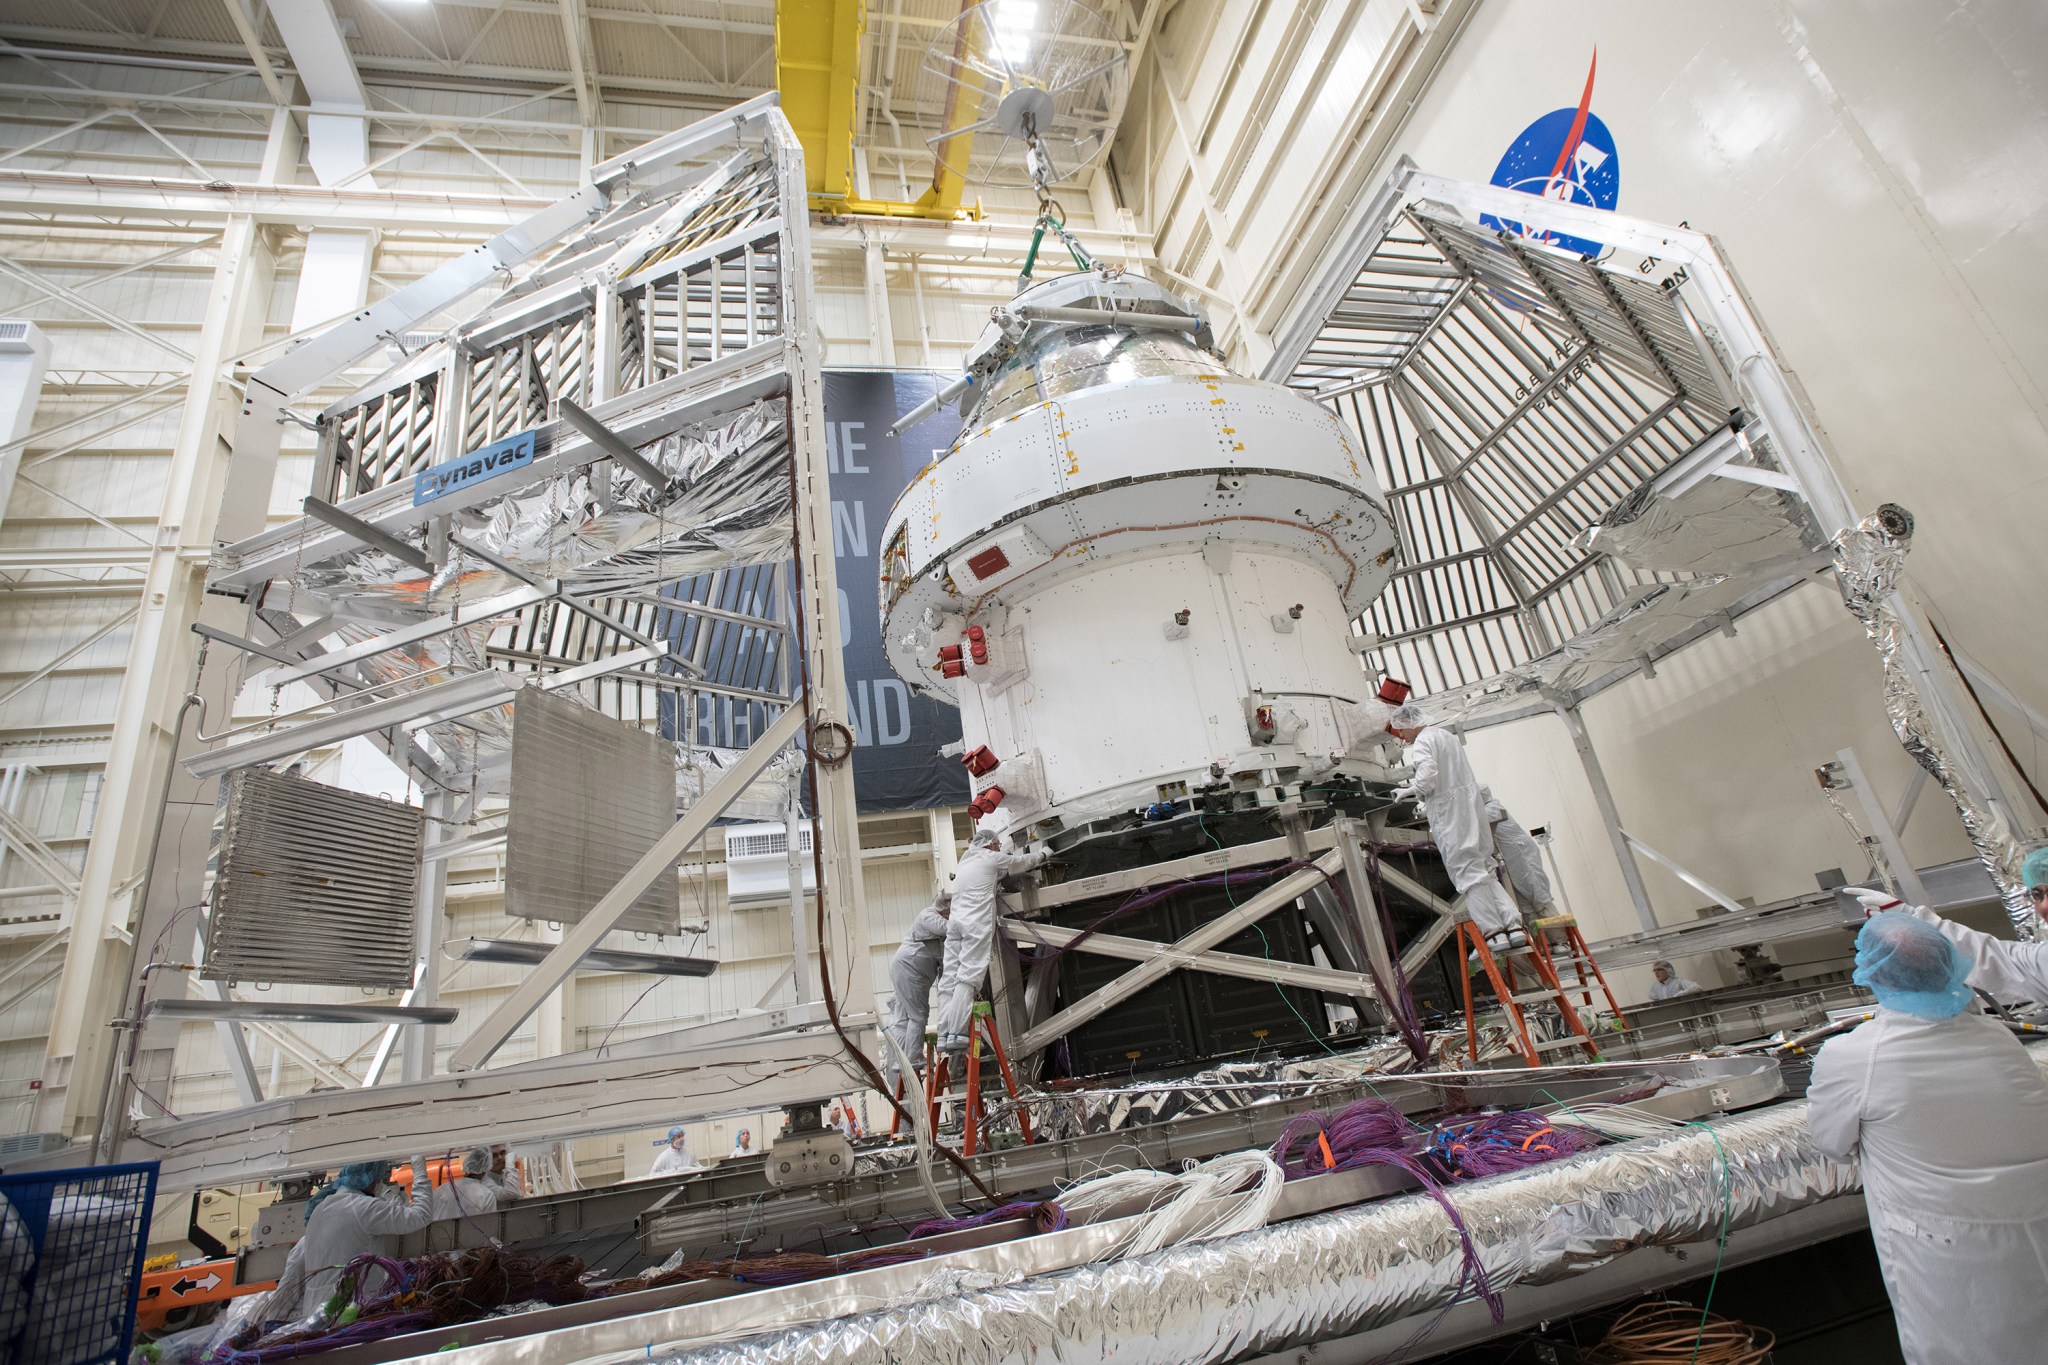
column 1521, row 404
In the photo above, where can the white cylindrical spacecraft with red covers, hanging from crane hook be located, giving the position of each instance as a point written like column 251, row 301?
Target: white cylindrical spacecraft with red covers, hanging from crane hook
column 1136, row 572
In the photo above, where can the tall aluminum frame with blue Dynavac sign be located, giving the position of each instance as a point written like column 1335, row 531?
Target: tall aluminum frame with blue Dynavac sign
column 640, row 392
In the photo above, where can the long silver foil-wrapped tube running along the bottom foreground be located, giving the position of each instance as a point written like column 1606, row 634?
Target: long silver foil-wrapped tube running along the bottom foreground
column 1332, row 1274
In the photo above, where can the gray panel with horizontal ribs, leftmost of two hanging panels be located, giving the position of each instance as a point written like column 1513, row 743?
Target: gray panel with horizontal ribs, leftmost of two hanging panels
column 316, row 885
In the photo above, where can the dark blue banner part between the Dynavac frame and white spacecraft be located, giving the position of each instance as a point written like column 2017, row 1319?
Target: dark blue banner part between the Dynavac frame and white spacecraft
column 900, row 734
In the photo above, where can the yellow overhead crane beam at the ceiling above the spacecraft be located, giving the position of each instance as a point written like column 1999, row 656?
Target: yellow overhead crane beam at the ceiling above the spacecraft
column 818, row 77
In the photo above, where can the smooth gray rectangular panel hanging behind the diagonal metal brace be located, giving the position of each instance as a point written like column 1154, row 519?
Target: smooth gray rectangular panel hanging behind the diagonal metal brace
column 589, row 799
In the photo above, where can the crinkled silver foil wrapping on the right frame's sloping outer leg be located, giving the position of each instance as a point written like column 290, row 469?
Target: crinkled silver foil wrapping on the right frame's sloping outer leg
column 1869, row 562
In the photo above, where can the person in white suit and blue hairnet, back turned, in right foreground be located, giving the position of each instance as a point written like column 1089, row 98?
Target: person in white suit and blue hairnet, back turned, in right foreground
column 1951, row 1120
